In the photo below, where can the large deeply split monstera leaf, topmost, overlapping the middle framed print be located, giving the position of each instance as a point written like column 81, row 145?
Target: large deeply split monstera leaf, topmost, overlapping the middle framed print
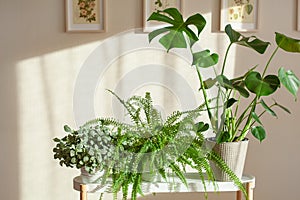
column 174, row 33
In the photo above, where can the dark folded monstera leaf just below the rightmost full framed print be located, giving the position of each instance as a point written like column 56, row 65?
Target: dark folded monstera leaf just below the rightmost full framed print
column 250, row 42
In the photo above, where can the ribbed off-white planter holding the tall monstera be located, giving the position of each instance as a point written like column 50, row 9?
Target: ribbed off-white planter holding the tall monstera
column 233, row 154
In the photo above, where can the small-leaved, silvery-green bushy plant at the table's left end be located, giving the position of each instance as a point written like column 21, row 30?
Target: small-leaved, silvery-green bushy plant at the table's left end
column 89, row 147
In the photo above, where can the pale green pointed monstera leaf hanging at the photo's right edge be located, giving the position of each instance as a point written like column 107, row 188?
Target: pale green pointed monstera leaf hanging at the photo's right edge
column 289, row 80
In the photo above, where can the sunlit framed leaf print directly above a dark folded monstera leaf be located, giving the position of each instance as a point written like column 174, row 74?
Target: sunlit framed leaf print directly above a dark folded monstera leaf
column 241, row 14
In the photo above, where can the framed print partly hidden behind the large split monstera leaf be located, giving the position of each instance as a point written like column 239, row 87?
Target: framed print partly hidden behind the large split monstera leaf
column 150, row 6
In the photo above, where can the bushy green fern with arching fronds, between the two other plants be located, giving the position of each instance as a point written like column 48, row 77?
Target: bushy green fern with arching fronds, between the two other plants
column 151, row 144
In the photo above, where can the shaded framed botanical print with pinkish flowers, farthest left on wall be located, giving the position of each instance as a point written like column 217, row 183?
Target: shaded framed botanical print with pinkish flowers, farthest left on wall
column 85, row 15
